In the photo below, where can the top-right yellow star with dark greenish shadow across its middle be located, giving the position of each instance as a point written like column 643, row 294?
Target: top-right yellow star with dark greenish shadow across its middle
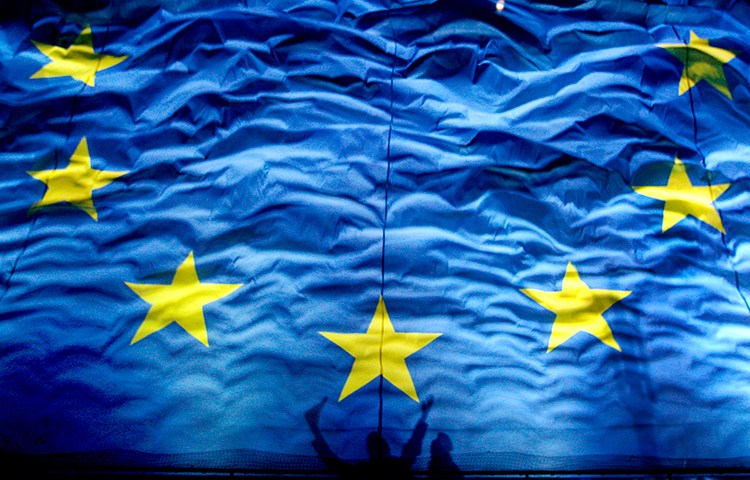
column 702, row 62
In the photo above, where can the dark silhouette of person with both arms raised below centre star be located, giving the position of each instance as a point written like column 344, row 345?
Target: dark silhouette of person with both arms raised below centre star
column 381, row 463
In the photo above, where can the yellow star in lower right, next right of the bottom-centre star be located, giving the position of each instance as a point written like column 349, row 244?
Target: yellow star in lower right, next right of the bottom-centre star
column 578, row 308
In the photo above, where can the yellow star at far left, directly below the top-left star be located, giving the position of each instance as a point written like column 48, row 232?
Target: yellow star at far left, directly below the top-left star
column 75, row 183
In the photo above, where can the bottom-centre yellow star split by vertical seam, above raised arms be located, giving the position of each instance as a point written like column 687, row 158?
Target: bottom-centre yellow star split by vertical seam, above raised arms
column 380, row 351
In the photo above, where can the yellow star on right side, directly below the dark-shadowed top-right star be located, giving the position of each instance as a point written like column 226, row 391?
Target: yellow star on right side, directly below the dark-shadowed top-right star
column 683, row 199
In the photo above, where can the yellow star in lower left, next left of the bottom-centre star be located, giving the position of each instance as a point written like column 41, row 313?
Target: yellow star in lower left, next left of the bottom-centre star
column 181, row 301
